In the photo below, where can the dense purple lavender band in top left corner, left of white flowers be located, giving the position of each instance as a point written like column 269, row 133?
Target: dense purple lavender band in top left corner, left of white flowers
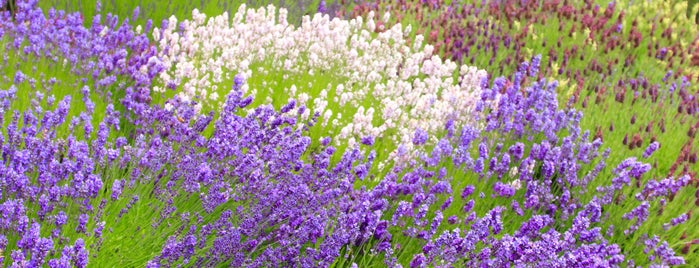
column 105, row 52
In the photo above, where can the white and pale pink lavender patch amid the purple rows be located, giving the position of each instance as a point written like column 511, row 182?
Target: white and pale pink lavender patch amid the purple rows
column 408, row 86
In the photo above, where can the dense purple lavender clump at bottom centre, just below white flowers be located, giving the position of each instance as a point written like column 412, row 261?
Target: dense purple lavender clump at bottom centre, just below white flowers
column 282, row 203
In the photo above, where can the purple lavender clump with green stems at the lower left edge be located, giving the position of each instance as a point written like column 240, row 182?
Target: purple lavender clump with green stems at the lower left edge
column 42, row 173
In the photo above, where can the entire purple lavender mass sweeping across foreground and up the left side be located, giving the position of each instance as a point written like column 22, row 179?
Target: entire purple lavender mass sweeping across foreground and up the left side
column 518, row 186
